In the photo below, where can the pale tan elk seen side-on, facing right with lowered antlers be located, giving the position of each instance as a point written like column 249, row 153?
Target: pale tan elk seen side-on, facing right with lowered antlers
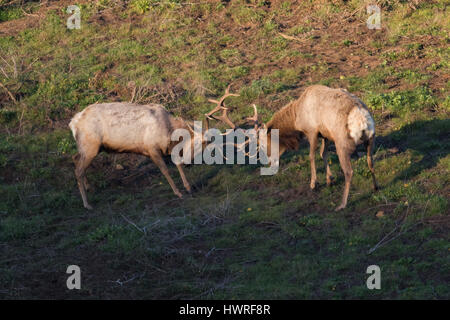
column 128, row 127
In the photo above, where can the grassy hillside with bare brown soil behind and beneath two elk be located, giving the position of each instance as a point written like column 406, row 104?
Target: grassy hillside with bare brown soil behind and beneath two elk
column 240, row 235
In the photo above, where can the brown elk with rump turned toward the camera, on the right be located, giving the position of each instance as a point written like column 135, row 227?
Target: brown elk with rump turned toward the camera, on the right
column 334, row 115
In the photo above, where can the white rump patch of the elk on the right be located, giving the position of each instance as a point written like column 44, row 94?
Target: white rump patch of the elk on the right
column 359, row 122
